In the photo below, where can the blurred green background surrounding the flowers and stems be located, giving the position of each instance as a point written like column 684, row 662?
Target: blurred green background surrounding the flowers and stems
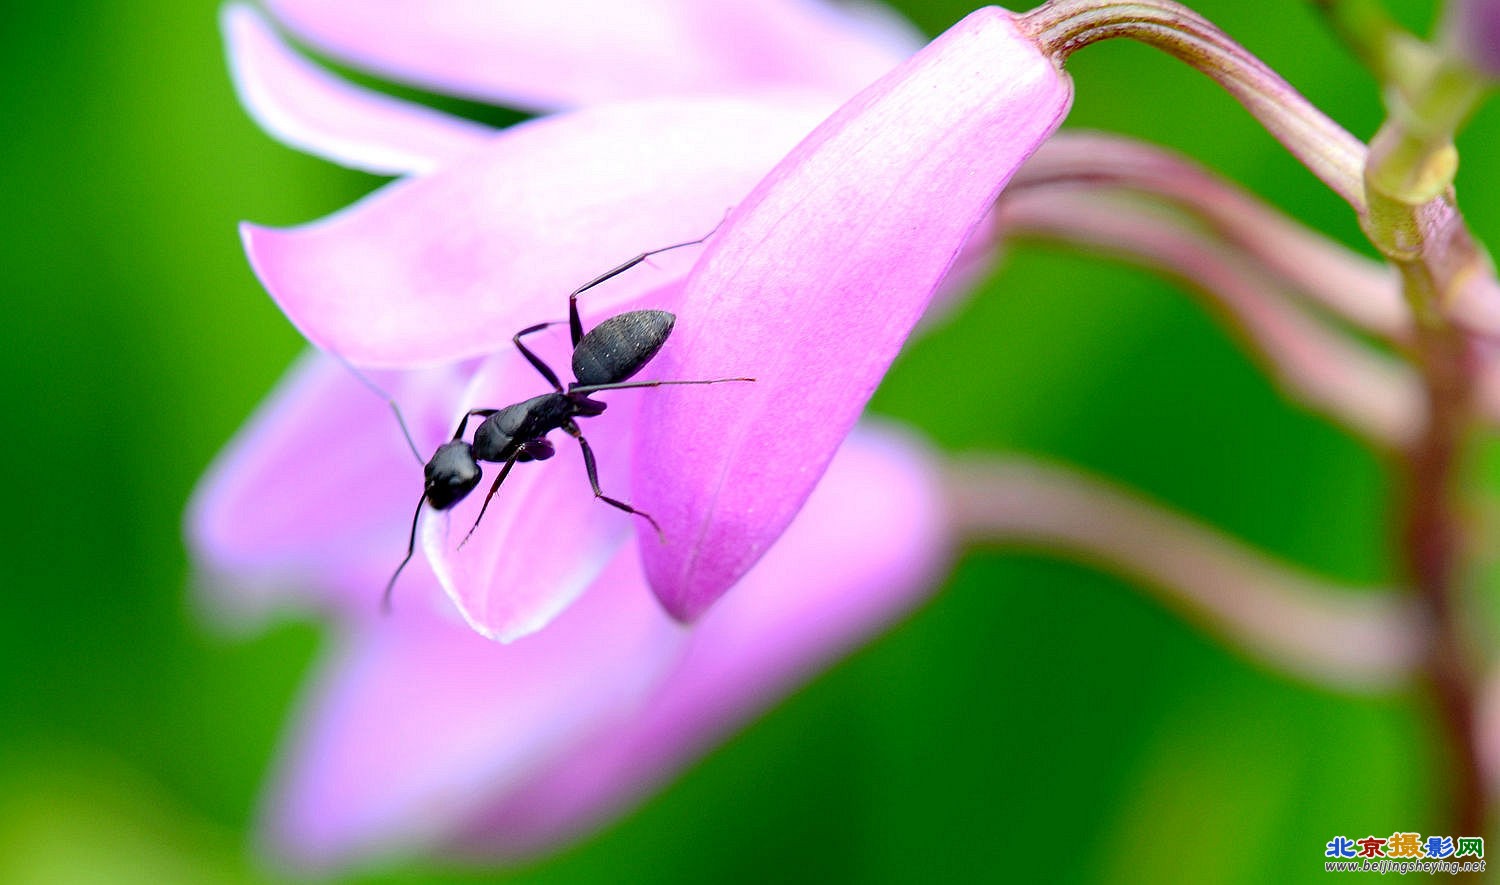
column 1037, row 722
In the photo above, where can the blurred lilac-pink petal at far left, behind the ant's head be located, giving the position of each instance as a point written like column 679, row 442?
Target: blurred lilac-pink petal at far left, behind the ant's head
column 290, row 508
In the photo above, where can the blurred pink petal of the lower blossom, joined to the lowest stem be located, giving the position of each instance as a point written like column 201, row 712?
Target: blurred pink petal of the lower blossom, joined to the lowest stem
column 868, row 548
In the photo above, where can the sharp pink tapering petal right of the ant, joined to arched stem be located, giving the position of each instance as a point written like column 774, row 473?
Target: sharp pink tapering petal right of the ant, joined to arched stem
column 812, row 287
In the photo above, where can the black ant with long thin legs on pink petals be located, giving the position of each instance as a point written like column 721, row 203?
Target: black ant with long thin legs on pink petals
column 605, row 359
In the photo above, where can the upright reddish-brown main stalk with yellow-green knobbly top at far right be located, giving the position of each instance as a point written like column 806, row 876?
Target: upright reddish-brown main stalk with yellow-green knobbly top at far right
column 1415, row 223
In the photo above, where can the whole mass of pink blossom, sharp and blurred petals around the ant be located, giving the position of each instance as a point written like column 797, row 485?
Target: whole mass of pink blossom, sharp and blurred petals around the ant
column 419, row 737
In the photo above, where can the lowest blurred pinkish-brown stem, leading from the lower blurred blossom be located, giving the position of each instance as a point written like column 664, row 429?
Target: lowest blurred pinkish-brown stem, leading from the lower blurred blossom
column 1355, row 640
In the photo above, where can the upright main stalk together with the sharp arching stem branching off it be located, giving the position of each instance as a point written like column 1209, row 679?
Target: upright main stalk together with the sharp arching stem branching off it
column 1402, row 191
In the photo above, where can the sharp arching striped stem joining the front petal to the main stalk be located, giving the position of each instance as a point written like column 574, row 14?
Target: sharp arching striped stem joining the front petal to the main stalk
column 1336, row 157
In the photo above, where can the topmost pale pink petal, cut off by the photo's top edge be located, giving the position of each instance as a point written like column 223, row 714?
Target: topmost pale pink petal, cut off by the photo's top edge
column 532, row 56
